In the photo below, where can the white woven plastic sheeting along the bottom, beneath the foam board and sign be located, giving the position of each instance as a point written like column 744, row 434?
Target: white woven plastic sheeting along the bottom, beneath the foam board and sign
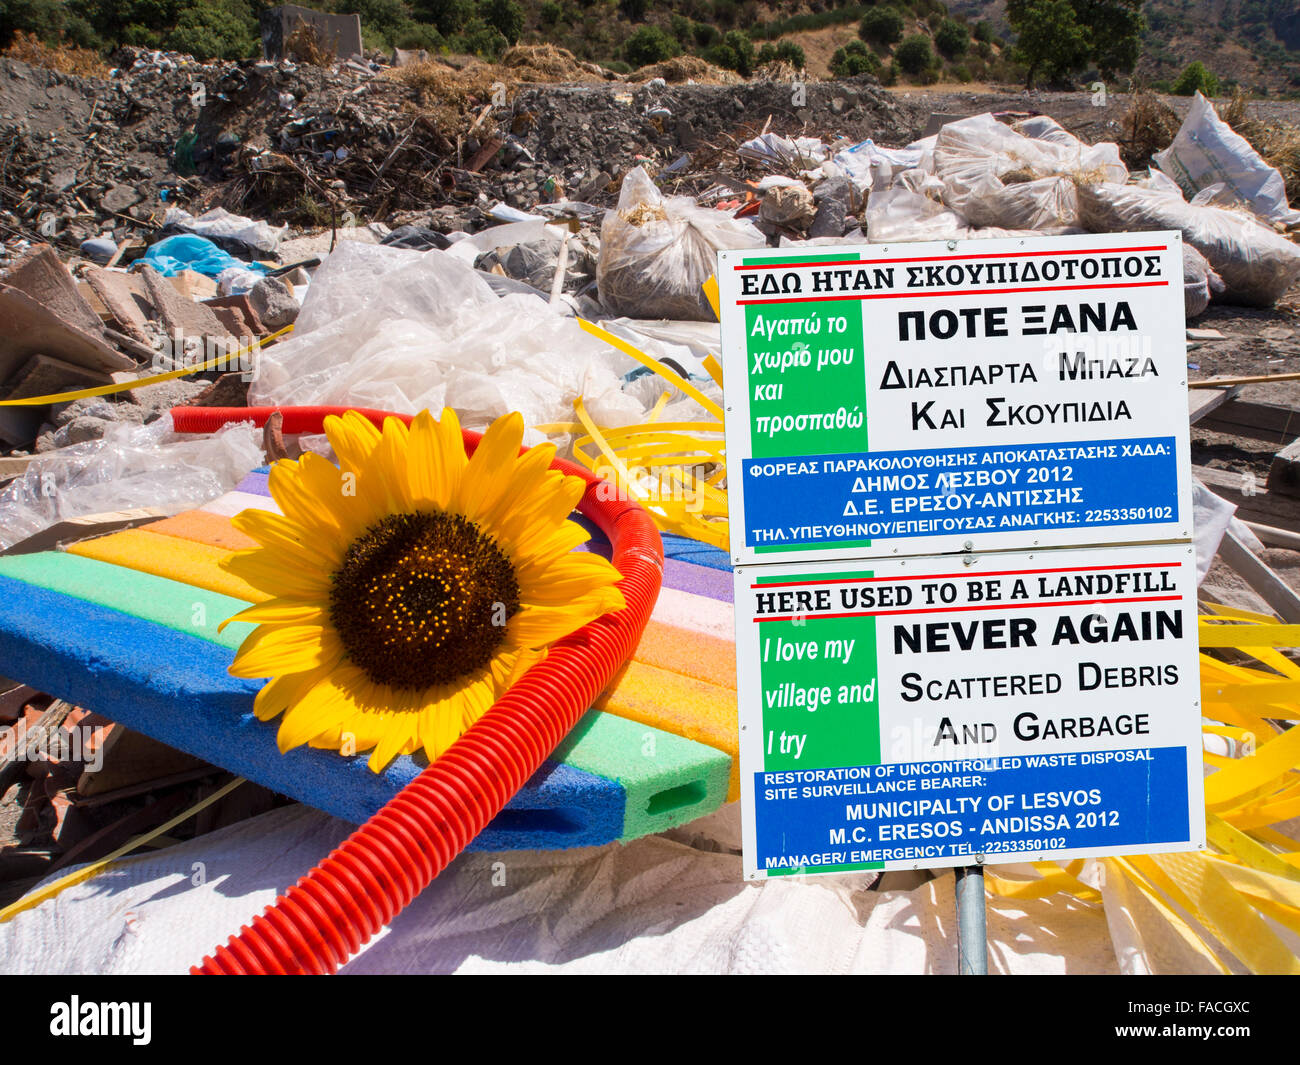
column 665, row 904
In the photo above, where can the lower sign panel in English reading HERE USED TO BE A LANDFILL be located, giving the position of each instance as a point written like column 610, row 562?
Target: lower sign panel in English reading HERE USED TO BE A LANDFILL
column 920, row 713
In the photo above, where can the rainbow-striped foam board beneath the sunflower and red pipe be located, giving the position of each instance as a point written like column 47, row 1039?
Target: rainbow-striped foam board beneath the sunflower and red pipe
column 127, row 625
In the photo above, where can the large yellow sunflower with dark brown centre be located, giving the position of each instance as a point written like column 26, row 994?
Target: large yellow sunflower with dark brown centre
column 410, row 586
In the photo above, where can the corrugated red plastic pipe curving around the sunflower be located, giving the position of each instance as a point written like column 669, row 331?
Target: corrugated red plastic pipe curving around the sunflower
column 326, row 919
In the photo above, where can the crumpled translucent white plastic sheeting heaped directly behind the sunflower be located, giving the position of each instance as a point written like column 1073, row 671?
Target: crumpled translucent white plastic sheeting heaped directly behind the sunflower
column 408, row 331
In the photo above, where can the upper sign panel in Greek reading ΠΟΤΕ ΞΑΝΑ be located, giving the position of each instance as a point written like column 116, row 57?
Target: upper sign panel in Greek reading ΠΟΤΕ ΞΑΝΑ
column 961, row 396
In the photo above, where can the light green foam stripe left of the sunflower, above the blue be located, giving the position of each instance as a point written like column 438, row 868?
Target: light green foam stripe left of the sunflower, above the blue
column 184, row 608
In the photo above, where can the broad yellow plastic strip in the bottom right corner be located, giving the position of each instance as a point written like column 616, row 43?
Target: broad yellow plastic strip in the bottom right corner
column 1215, row 903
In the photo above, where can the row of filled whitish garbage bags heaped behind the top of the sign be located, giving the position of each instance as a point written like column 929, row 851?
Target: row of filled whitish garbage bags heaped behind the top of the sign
column 983, row 177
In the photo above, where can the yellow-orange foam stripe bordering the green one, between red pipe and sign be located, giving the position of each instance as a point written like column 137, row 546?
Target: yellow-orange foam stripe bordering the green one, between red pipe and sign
column 666, row 700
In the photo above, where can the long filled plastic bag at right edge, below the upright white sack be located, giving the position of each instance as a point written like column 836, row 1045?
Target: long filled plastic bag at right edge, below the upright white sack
column 1256, row 265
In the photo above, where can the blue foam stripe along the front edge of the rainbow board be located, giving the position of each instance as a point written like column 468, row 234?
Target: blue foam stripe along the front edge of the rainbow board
column 176, row 689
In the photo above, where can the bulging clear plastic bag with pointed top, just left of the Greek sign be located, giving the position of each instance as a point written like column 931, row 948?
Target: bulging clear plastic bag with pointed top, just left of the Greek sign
column 657, row 252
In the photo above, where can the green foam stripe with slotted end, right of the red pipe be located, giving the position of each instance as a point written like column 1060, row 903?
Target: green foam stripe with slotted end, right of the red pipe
column 669, row 780
